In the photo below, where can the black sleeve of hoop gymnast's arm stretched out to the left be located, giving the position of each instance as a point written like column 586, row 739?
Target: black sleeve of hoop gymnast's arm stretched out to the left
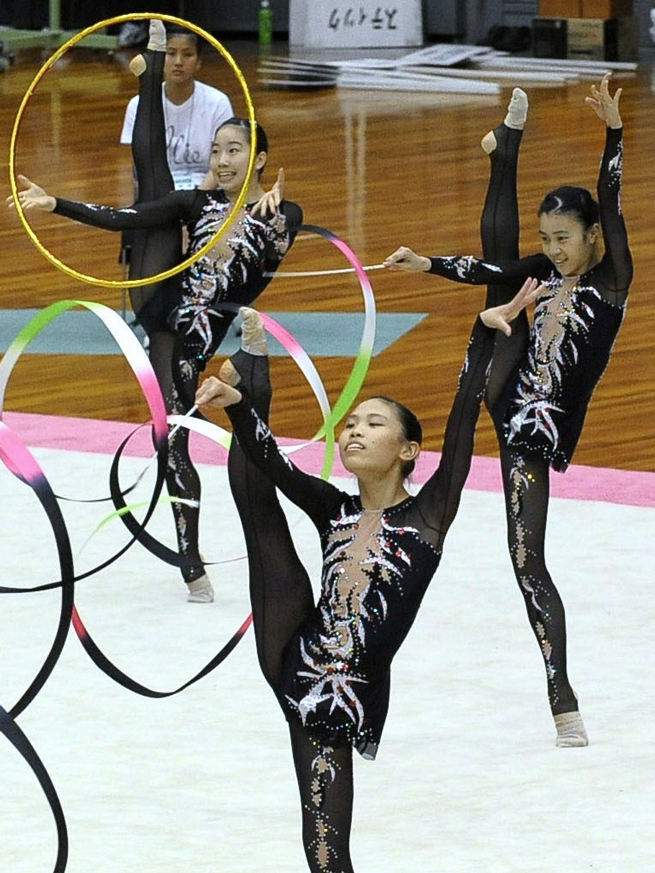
column 174, row 207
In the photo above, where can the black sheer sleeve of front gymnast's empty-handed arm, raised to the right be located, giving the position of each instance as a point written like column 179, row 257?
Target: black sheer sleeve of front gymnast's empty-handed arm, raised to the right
column 439, row 498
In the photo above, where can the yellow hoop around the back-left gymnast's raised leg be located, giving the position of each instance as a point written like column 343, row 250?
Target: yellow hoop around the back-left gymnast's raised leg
column 132, row 283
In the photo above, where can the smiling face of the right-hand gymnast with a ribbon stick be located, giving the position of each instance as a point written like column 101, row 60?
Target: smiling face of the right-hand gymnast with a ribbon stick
column 570, row 246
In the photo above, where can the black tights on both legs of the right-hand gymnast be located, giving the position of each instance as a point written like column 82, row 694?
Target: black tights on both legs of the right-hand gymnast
column 525, row 478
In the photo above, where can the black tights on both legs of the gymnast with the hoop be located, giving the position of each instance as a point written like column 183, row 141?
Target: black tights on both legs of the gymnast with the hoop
column 154, row 251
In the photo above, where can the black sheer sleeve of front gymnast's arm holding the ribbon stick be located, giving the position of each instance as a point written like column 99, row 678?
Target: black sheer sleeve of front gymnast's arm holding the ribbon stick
column 313, row 495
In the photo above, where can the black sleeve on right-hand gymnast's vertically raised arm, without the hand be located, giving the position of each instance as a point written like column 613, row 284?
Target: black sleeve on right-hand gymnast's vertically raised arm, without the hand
column 616, row 266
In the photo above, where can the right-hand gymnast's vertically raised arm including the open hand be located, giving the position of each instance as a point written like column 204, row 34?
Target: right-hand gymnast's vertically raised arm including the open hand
column 616, row 266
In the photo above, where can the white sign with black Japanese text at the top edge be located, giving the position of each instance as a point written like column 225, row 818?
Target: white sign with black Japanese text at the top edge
column 355, row 23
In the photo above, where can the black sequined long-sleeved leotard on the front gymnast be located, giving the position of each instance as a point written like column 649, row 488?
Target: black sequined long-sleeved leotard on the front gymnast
column 376, row 567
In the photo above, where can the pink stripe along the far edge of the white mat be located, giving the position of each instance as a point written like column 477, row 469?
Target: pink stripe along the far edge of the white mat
column 89, row 435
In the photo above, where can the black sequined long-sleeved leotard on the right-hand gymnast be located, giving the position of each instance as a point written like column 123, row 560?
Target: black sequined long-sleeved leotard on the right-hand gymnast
column 544, row 405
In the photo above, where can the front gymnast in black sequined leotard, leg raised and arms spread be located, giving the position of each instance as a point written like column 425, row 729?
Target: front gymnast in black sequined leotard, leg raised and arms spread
column 329, row 663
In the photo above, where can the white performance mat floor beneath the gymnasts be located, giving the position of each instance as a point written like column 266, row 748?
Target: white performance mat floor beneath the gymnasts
column 467, row 778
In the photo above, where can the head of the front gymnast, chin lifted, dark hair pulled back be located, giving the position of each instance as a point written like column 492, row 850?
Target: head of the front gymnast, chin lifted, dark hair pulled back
column 372, row 442
